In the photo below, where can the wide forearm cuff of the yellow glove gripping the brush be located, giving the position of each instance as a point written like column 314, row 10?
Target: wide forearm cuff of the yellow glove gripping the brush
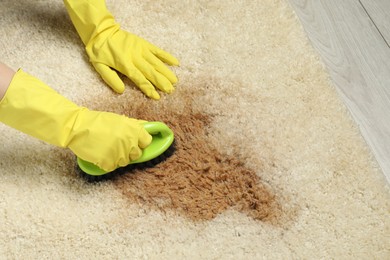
column 32, row 107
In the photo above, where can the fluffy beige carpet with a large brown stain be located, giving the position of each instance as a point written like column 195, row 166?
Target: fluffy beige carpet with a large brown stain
column 269, row 163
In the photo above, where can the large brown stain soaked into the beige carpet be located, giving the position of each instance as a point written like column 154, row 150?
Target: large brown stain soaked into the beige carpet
column 198, row 181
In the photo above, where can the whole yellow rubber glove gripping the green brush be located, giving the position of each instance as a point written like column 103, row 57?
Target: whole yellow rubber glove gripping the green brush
column 105, row 139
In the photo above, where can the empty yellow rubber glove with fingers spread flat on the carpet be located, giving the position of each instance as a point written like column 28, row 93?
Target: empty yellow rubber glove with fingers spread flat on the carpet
column 111, row 49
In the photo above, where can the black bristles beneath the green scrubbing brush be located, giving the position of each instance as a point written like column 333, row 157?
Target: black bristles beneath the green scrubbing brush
column 131, row 167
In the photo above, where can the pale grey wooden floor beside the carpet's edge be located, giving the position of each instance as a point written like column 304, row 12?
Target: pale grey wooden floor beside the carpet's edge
column 353, row 38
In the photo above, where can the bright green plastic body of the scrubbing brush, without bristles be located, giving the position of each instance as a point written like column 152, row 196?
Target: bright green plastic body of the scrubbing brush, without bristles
column 162, row 139
